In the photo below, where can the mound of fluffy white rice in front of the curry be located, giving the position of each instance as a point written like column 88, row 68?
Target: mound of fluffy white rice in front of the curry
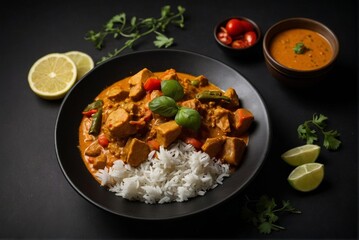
column 174, row 174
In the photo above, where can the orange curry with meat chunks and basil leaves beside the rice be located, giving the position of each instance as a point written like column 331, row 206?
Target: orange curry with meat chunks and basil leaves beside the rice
column 140, row 113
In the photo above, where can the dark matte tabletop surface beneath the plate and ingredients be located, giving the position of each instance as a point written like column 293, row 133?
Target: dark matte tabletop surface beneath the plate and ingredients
column 38, row 202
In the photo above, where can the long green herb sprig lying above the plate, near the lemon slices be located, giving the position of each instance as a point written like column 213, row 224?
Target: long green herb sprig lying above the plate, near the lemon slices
column 119, row 27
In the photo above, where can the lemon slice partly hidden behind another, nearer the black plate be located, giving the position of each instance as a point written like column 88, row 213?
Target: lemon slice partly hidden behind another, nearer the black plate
column 83, row 62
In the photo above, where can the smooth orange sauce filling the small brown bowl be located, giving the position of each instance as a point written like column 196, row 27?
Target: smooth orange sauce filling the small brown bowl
column 318, row 52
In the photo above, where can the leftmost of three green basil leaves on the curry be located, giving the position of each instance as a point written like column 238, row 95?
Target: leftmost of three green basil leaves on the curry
column 164, row 106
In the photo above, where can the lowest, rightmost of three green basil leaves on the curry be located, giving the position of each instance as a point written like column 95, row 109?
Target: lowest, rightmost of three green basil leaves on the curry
column 189, row 118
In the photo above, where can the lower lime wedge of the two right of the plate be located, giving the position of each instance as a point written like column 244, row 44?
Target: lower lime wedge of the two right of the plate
column 306, row 177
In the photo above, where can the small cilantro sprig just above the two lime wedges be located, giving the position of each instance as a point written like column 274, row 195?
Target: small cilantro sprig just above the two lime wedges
column 307, row 131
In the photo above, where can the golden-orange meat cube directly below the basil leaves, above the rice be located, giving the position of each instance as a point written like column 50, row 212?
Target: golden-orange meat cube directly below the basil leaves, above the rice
column 167, row 132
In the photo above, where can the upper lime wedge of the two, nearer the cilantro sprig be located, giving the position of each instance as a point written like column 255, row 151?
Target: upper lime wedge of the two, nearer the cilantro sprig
column 300, row 155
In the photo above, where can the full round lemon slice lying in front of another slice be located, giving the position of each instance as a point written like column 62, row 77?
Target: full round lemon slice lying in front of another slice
column 52, row 76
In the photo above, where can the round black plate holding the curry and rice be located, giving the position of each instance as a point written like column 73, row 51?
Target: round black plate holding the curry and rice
column 69, row 118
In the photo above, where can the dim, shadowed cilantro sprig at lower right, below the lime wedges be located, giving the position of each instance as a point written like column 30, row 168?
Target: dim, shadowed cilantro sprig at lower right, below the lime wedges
column 264, row 213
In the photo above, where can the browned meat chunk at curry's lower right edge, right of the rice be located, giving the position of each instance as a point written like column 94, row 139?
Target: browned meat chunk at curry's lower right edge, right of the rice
column 232, row 151
